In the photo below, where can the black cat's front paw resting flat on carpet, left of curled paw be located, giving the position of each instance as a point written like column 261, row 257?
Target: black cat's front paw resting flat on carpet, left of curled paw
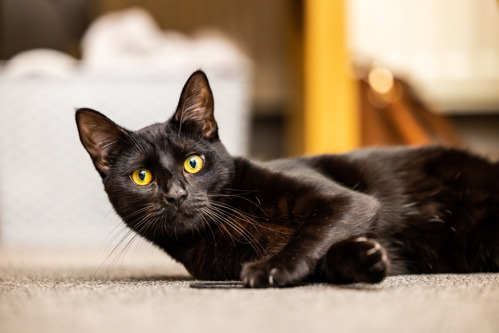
column 271, row 274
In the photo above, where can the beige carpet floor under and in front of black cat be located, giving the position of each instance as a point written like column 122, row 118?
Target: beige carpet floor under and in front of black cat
column 69, row 291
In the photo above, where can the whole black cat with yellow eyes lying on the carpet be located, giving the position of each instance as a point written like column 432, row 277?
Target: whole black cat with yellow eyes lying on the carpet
column 338, row 218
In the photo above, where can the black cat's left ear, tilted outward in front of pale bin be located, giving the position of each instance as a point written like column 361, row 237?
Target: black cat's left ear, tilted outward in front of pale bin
column 99, row 135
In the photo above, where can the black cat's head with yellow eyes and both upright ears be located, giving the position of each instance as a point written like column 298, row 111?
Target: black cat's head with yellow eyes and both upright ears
column 164, row 177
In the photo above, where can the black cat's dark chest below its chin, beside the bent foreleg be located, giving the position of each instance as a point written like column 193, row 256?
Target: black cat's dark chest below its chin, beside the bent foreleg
column 226, row 244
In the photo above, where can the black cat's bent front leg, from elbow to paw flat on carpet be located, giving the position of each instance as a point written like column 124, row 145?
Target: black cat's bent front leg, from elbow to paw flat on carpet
column 331, row 220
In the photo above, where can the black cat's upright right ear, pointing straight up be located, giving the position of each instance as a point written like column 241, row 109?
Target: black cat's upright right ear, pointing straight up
column 195, row 108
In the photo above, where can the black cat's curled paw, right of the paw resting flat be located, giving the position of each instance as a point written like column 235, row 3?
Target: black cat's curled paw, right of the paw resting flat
column 358, row 259
